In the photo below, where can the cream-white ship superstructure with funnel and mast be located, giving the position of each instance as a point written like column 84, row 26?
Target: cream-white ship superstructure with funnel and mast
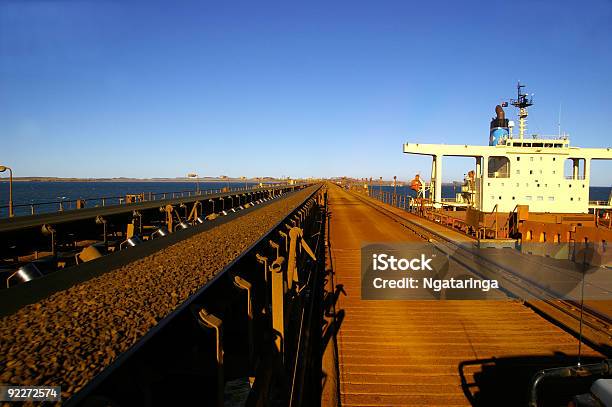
column 544, row 172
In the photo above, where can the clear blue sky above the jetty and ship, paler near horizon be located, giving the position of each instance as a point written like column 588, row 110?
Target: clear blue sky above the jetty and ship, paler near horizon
column 148, row 89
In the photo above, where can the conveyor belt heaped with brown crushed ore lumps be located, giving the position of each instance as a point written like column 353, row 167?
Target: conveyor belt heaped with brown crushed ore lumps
column 73, row 335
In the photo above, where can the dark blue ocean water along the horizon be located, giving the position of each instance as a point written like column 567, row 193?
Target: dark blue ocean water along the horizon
column 46, row 195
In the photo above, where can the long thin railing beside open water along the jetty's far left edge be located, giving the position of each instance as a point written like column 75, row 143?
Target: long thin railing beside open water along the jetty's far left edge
column 61, row 205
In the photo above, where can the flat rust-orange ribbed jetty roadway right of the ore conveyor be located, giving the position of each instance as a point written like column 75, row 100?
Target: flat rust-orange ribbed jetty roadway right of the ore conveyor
column 428, row 353
